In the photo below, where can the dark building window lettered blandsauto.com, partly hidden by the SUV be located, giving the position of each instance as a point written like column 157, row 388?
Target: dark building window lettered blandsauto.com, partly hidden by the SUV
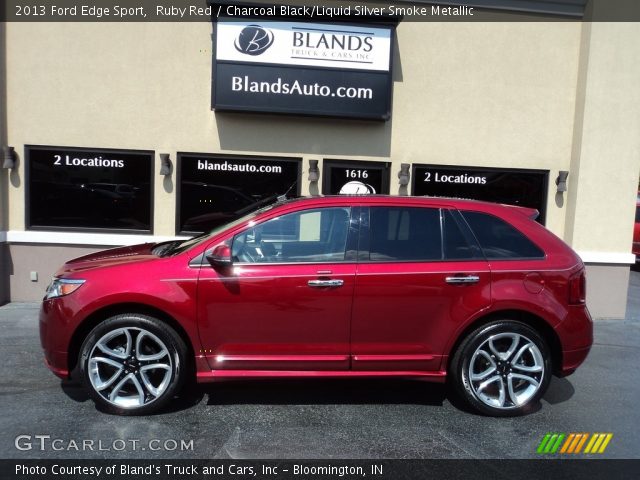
column 215, row 190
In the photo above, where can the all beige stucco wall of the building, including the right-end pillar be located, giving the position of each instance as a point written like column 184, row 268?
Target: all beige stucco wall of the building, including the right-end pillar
column 553, row 96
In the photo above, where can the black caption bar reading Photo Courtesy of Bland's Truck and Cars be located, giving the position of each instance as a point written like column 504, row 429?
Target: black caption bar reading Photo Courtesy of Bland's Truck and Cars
column 160, row 469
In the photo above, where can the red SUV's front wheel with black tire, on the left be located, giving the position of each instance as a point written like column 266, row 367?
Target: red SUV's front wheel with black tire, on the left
column 141, row 355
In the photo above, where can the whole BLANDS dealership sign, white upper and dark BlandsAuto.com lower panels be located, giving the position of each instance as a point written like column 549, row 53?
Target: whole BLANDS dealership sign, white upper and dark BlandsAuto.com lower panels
column 302, row 68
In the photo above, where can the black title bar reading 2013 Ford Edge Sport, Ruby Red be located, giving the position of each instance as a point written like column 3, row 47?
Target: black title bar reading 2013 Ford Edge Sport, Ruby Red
column 321, row 11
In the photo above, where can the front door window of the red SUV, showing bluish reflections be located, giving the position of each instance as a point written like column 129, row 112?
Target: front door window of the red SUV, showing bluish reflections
column 310, row 236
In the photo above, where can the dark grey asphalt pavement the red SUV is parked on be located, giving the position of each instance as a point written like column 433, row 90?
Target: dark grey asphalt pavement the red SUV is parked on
column 43, row 417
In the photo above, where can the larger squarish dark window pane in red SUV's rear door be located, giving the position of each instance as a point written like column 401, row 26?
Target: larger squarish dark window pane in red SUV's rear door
column 405, row 234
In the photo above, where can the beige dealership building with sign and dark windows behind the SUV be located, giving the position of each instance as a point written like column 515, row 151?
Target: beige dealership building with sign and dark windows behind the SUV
column 117, row 133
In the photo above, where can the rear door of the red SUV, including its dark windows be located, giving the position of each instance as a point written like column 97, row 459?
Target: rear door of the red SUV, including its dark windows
column 420, row 275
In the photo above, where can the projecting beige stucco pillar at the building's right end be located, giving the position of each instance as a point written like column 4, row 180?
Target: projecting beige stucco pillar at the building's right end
column 606, row 154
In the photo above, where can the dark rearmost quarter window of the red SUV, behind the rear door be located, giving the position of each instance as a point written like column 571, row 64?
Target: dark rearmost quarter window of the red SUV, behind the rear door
column 498, row 239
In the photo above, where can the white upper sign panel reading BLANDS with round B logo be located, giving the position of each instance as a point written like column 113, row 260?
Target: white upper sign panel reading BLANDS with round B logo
column 304, row 44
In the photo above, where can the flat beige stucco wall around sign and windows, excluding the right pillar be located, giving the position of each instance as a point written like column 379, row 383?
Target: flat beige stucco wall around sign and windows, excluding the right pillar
column 483, row 94
